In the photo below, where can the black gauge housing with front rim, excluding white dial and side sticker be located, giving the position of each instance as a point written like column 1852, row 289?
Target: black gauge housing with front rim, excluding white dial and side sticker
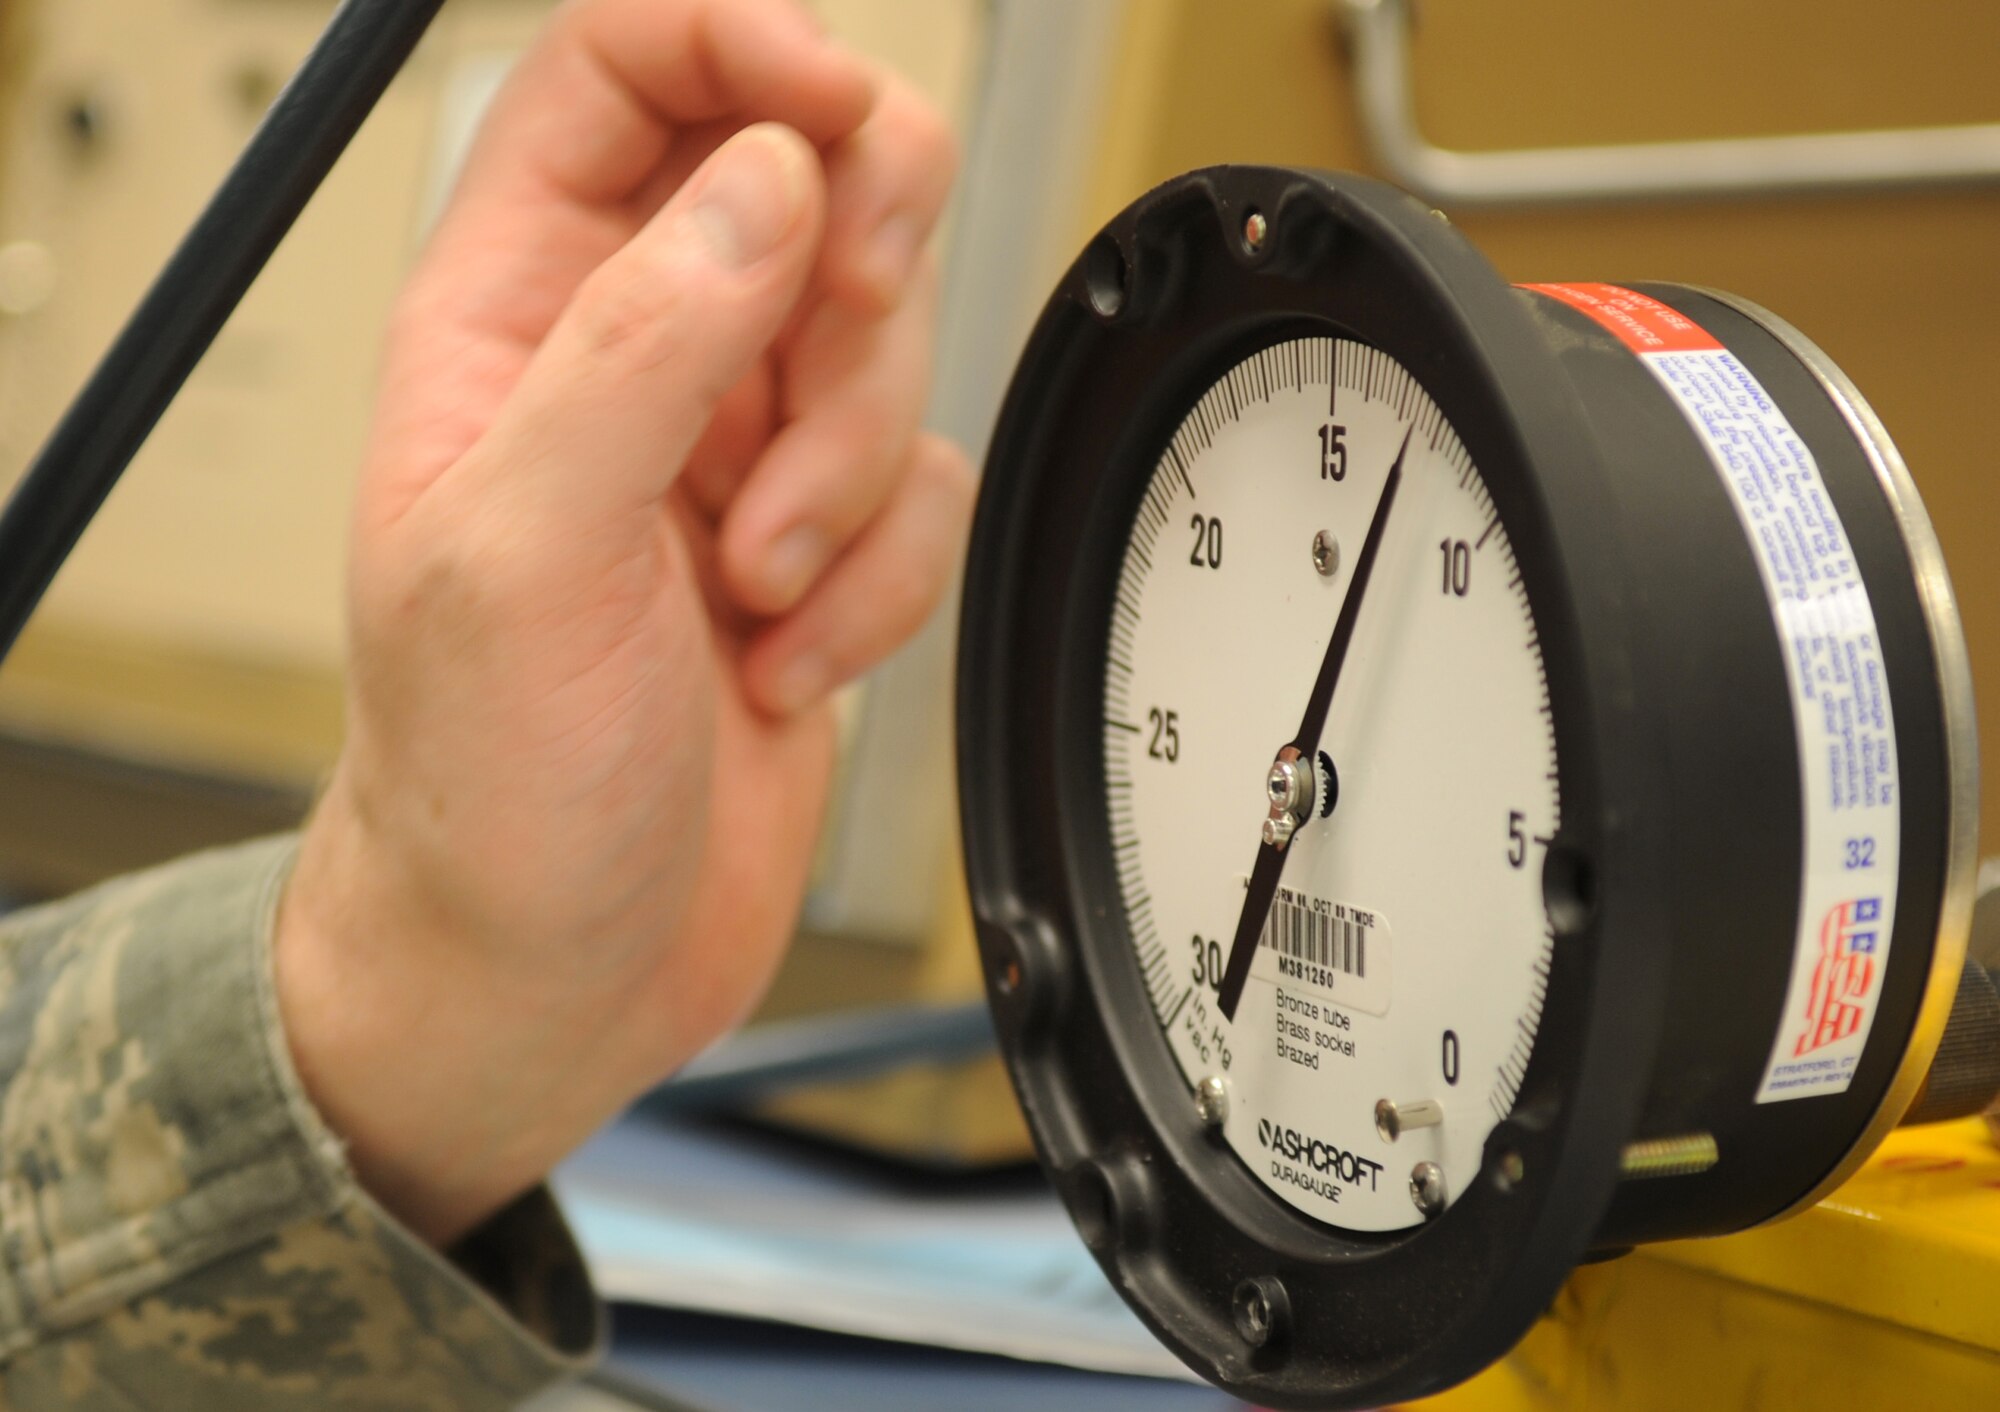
column 1673, row 885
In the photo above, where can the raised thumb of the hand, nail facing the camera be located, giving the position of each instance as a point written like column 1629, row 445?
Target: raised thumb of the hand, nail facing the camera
column 631, row 375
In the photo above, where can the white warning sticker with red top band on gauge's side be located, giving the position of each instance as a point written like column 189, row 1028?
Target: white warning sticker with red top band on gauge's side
column 1833, row 661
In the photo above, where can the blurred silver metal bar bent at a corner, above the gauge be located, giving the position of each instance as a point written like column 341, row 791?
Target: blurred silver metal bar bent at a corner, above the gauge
column 1889, row 159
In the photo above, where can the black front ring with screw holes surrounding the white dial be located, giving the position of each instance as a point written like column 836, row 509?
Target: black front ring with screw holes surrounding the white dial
column 1145, row 321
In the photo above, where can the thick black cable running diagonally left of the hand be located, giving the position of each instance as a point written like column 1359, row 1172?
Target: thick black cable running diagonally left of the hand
column 307, row 131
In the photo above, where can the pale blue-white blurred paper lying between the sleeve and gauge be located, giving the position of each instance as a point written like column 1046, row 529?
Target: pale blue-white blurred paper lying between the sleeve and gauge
column 719, row 1221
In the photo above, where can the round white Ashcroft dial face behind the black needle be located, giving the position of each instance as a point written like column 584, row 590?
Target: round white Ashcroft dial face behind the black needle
column 1407, row 951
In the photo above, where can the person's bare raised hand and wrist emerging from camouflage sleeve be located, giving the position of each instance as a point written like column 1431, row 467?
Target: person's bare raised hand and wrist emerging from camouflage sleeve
column 647, row 485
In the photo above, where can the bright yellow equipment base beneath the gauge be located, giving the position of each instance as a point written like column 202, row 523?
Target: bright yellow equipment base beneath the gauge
column 1883, row 1297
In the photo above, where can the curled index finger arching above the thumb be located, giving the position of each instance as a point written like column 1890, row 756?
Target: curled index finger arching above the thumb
column 557, row 185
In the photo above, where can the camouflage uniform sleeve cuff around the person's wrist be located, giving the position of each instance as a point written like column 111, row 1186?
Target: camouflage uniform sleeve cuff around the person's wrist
column 181, row 1231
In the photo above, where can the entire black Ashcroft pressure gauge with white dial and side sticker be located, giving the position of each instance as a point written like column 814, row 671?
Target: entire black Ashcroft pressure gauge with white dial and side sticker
column 1457, row 779
